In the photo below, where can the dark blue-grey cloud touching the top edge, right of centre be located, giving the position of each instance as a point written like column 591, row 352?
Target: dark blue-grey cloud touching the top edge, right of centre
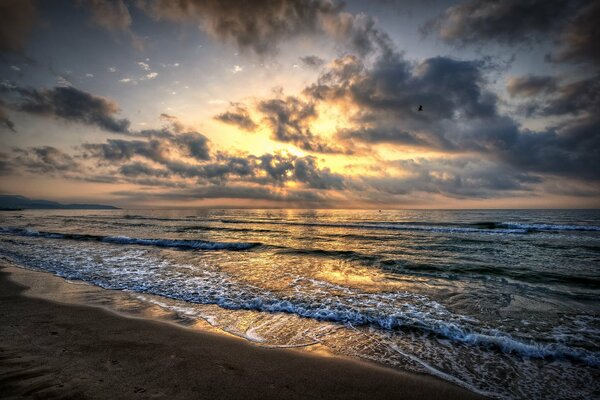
column 507, row 21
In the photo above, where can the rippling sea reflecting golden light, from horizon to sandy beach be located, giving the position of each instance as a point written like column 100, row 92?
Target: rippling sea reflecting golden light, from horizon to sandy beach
column 505, row 303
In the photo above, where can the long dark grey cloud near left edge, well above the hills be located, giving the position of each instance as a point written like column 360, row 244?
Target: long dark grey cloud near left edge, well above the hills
column 70, row 104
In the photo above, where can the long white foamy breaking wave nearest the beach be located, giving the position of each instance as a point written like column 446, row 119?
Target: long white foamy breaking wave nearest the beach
column 397, row 312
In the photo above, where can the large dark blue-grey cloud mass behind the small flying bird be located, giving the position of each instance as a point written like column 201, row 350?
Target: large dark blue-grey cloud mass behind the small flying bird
column 388, row 94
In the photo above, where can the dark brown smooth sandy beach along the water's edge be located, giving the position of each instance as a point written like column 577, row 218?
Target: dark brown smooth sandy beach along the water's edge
column 51, row 349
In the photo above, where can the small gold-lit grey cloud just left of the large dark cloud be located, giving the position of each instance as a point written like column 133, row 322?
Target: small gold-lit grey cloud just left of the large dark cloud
column 289, row 119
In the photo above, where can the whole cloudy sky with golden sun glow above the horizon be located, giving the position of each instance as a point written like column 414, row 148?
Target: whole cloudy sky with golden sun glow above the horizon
column 301, row 104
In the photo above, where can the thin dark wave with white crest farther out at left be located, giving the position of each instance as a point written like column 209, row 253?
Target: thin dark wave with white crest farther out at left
column 170, row 243
